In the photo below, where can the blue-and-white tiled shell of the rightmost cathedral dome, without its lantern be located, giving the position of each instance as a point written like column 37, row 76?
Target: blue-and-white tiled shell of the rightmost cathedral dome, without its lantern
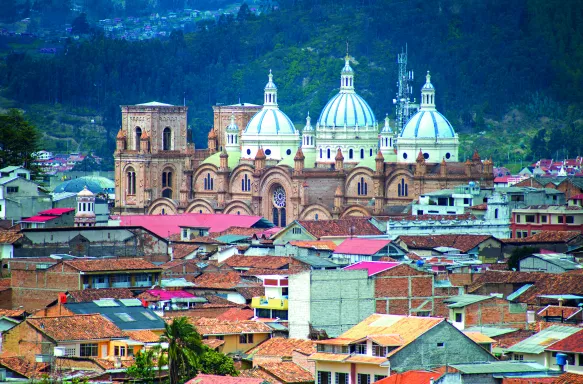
column 428, row 124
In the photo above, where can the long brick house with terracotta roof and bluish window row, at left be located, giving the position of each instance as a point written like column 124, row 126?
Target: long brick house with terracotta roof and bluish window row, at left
column 34, row 283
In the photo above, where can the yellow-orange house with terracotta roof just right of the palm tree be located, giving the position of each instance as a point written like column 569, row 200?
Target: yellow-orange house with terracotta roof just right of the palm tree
column 235, row 336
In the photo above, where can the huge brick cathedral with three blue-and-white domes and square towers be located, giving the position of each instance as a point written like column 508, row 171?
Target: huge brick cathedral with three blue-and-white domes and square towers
column 258, row 163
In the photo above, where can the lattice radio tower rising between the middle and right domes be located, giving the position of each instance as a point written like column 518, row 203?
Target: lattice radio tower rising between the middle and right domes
column 404, row 107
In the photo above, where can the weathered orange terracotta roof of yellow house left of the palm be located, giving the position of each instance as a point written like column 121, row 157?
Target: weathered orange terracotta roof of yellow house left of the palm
column 76, row 327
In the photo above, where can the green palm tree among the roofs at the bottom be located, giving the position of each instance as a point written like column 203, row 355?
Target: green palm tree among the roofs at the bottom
column 184, row 347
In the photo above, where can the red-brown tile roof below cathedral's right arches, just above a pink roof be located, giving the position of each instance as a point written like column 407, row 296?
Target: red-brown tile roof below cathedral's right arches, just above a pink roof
column 354, row 226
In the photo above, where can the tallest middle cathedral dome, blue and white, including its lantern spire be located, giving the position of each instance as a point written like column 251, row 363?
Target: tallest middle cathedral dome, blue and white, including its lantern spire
column 347, row 108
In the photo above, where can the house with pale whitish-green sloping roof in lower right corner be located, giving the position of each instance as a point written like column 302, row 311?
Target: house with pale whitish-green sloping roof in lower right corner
column 534, row 348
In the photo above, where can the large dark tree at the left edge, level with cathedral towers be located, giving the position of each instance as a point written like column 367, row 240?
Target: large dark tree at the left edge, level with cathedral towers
column 18, row 140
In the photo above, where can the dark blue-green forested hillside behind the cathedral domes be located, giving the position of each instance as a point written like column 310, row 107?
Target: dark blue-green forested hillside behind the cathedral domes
column 486, row 57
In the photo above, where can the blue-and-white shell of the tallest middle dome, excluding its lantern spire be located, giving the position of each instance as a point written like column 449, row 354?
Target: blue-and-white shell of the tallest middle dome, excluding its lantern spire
column 347, row 108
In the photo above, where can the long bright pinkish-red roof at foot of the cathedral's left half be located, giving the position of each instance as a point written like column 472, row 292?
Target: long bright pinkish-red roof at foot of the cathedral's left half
column 165, row 225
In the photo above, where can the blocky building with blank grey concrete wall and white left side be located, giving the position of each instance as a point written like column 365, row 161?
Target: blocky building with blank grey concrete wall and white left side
column 333, row 301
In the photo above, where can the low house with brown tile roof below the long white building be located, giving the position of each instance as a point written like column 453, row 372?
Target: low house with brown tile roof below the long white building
column 484, row 247
